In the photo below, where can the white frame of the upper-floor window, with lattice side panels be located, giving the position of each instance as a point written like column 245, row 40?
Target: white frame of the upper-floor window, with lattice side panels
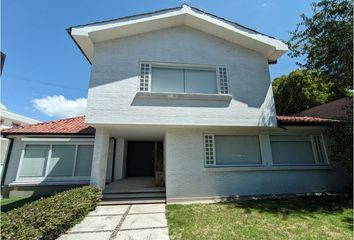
column 184, row 66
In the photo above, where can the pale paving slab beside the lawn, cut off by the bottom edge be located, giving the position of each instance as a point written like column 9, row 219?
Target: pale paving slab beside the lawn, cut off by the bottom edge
column 143, row 234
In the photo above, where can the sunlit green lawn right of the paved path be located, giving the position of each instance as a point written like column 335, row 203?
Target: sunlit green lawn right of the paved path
column 322, row 217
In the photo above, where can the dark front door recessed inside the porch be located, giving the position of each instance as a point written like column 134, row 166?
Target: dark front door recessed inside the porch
column 140, row 158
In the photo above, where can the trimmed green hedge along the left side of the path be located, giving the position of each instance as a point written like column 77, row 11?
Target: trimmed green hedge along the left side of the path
column 48, row 218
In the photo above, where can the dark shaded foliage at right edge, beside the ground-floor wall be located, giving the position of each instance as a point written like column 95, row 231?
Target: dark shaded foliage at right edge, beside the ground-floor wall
column 342, row 136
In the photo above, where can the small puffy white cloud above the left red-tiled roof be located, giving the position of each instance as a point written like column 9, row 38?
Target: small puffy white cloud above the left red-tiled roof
column 59, row 106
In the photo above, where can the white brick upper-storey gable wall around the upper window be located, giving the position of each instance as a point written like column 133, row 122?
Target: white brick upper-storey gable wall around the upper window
column 114, row 81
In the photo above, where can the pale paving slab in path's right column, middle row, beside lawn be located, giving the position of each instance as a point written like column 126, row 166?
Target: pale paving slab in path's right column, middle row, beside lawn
column 144, row 221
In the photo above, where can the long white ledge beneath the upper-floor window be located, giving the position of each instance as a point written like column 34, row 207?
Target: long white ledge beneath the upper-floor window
column 189, row 96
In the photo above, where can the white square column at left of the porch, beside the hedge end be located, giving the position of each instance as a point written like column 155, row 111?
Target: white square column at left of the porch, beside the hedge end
column 100, row 156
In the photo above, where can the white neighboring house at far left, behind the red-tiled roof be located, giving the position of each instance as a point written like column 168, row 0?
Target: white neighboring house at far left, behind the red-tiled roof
column 8, row 120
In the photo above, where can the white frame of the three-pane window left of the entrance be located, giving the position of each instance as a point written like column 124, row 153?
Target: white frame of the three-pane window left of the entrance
column 47, row 178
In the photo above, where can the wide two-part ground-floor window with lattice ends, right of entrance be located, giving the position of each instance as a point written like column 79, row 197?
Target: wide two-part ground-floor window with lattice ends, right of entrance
column 245, row 150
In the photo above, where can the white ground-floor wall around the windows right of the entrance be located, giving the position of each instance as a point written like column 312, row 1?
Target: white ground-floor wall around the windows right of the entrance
column 187, row 179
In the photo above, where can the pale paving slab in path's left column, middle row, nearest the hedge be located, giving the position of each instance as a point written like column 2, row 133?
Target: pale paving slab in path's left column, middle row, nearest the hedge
column 97, row 223
